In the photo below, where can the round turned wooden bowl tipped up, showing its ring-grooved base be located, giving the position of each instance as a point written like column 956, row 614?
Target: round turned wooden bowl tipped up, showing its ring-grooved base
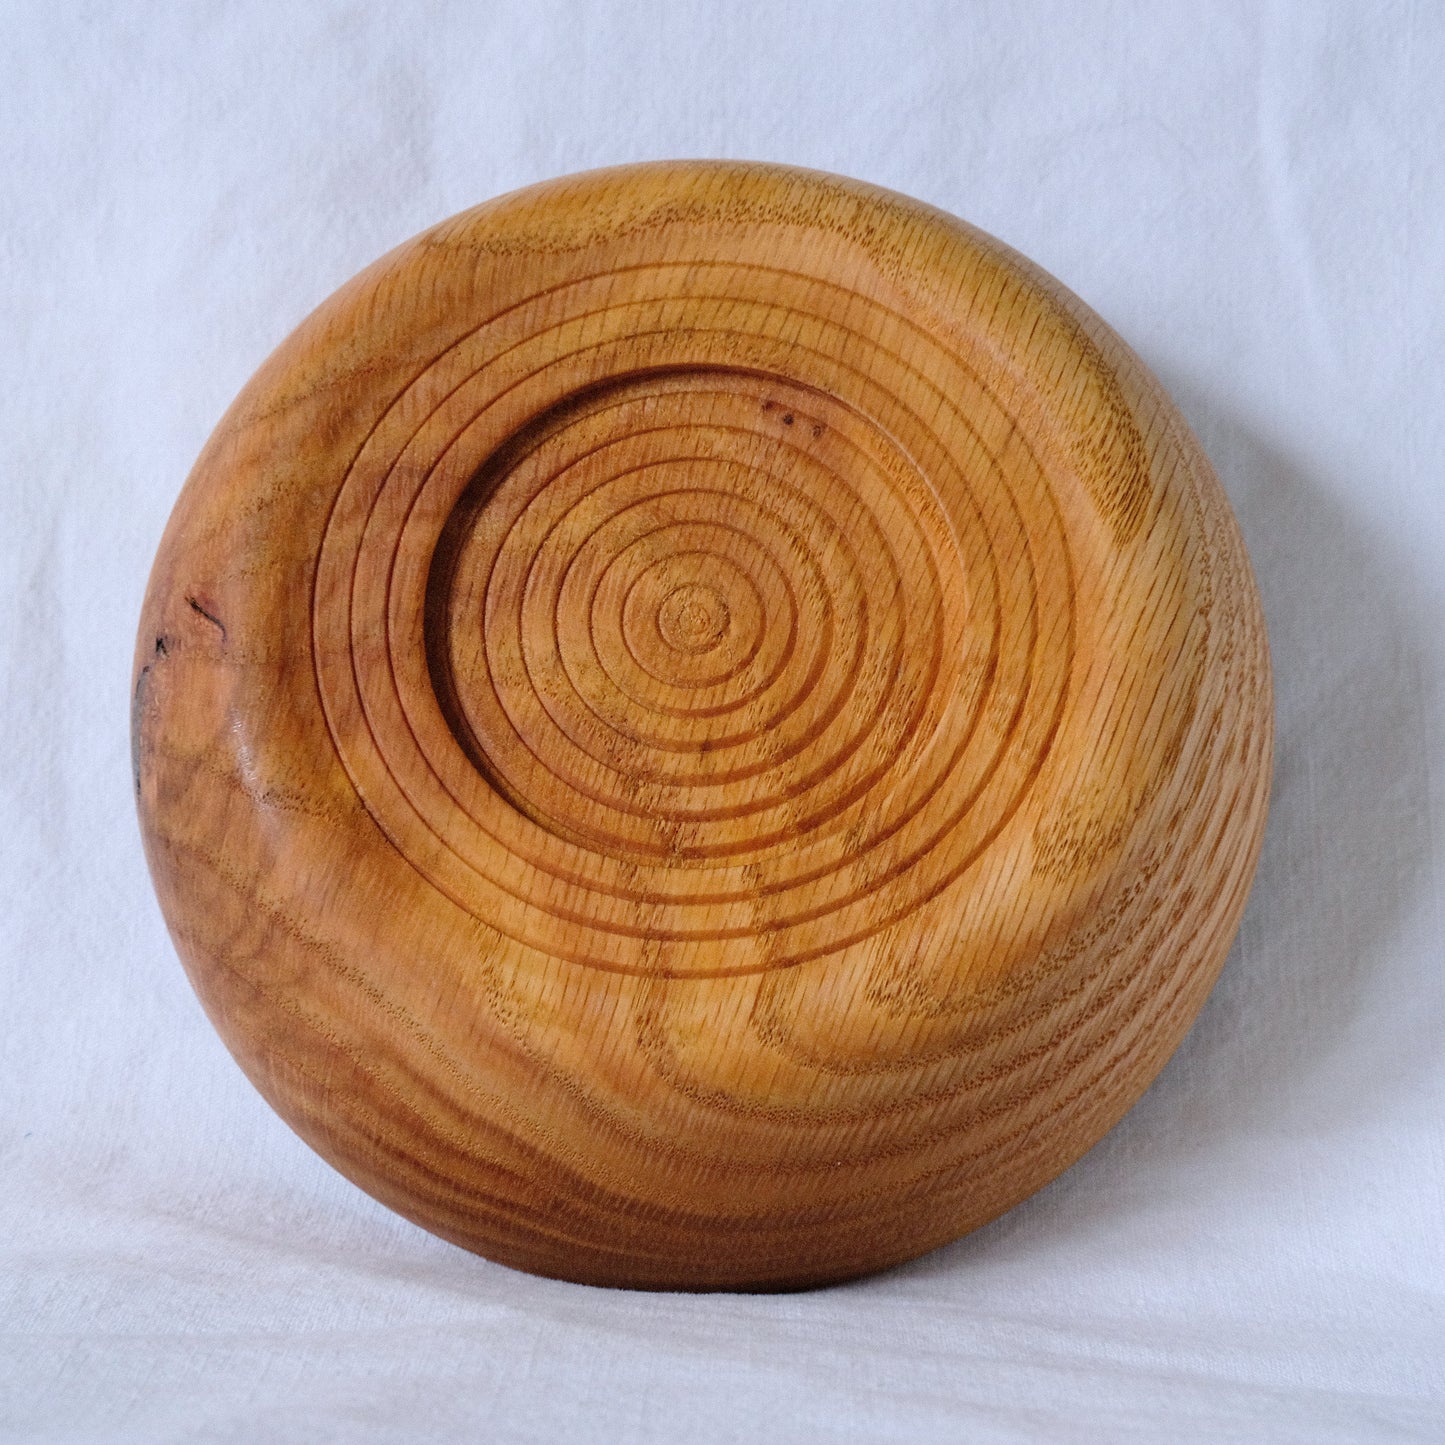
column 703, row 726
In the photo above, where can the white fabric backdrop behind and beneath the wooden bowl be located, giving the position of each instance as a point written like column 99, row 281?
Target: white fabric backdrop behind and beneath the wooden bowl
column 1255, row 196
